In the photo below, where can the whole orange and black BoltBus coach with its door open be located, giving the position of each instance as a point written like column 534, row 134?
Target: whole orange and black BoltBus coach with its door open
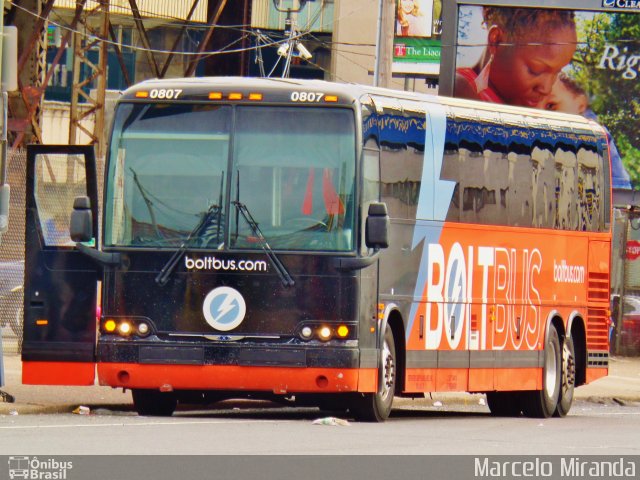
column 336, row 245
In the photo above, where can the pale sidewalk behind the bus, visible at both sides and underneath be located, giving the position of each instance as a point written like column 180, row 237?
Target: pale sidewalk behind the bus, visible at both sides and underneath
column 622, row 386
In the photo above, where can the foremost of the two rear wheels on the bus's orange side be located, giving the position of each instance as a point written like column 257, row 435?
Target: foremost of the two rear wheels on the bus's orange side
column 543, row 403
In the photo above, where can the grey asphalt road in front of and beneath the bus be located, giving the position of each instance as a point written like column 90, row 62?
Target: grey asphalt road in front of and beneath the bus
column 260, row 429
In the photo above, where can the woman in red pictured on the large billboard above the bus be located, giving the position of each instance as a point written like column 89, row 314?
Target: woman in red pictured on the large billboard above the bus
column 525, row 51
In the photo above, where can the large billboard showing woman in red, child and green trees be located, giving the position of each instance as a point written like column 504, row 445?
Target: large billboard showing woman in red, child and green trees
column 578, row 61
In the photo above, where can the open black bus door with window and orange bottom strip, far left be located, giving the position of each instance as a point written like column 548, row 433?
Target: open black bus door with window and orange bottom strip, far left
column 60, row 282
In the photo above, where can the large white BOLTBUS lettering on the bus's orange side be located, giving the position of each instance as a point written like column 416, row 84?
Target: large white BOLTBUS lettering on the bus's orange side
column 505, row 274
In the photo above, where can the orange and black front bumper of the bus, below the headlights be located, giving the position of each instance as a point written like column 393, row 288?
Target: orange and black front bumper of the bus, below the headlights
column 276, row 368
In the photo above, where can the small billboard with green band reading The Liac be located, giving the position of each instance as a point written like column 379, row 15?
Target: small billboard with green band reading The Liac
column 416, row 40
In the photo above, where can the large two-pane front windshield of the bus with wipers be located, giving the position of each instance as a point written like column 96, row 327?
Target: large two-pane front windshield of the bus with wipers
column 292, row 168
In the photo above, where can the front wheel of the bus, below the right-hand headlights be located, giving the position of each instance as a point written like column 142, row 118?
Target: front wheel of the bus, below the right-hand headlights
column 376, row 407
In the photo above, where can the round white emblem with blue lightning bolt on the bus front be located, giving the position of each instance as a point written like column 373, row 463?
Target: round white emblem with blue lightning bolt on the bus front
column 224, row 308
